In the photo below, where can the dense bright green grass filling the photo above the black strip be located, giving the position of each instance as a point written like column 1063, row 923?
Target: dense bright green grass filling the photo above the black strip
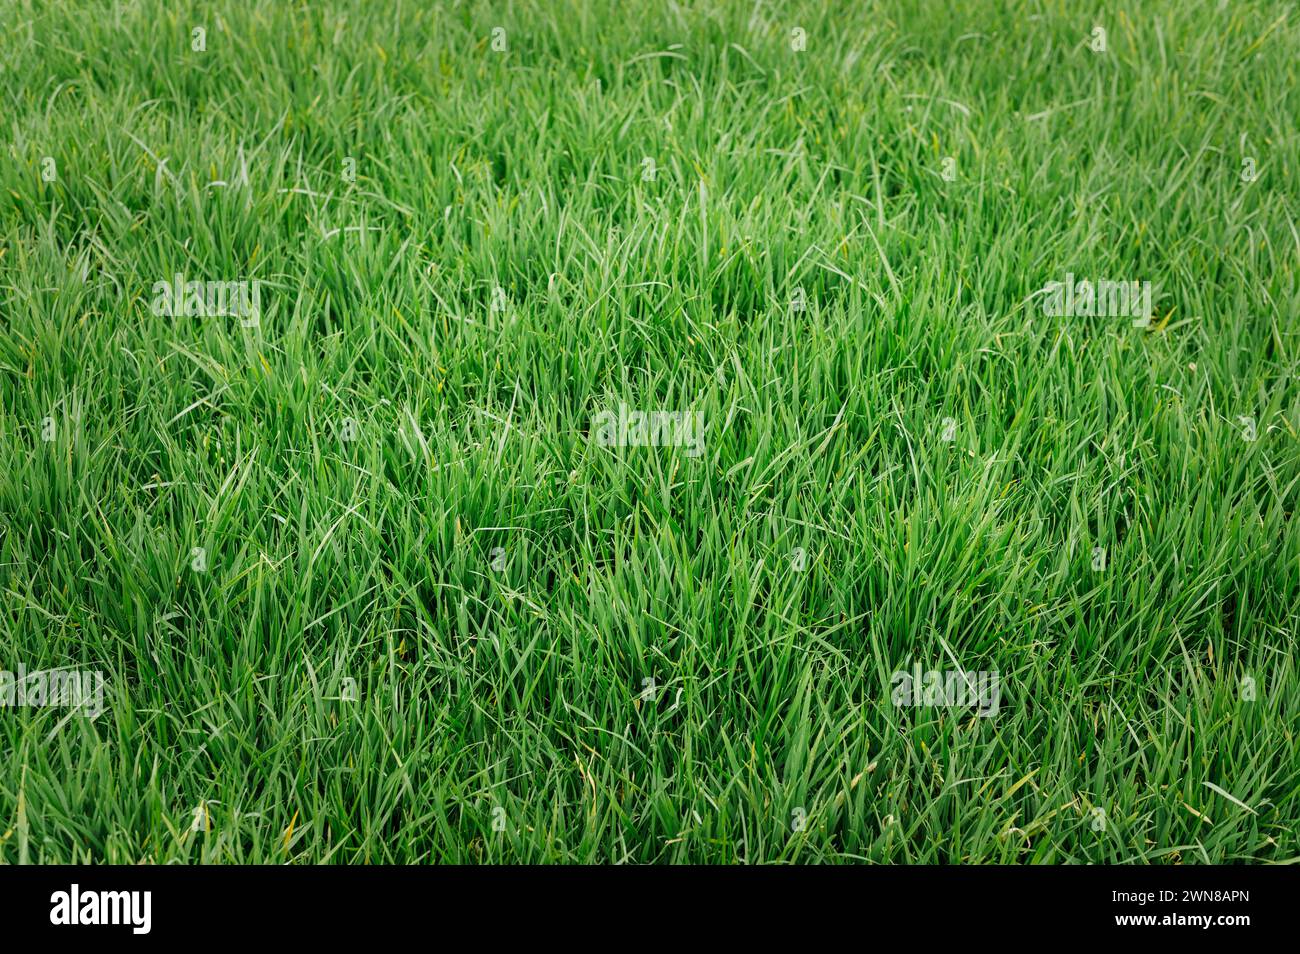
column 366, row 586
